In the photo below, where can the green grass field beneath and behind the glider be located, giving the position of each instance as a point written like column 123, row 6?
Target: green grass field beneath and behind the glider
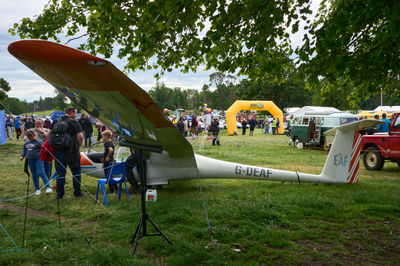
column 254, row 222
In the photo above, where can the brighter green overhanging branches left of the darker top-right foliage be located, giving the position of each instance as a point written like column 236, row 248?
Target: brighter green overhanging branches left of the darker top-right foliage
column 230, row 36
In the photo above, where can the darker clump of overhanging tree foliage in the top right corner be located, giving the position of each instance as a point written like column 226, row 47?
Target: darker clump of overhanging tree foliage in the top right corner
column 355, row 41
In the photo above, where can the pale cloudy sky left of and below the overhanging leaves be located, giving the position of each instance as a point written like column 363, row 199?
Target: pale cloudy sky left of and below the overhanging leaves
column 26, row 85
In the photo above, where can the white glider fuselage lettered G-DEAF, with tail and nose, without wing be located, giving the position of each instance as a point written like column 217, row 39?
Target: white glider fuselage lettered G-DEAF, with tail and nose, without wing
column 341, row 166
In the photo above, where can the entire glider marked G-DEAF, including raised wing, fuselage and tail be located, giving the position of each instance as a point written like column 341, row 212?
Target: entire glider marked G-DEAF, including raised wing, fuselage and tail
column 106, row 93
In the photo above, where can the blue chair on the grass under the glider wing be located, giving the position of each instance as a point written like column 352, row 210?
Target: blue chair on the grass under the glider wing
column 115, row 169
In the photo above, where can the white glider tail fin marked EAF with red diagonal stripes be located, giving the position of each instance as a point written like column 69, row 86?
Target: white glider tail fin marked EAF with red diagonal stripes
column 342, row 164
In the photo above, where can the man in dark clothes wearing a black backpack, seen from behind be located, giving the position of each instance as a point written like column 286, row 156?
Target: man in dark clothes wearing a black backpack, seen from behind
column 66, row 138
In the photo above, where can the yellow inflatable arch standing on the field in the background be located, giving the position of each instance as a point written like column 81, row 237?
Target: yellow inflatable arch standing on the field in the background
column 251, row 105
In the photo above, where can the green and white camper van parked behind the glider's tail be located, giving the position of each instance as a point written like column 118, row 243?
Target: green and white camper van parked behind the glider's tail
column 308, row 129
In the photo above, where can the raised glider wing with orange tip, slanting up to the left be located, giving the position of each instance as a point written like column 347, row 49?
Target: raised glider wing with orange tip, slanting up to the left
column 98, row 87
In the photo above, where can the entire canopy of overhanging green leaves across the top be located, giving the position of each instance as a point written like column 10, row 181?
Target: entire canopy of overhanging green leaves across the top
column 353, row 40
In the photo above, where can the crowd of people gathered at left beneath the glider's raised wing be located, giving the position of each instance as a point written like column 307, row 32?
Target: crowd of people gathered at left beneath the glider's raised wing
column 39, row 152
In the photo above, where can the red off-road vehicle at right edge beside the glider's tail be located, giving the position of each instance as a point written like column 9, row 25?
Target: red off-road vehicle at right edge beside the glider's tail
column 381, row 147
